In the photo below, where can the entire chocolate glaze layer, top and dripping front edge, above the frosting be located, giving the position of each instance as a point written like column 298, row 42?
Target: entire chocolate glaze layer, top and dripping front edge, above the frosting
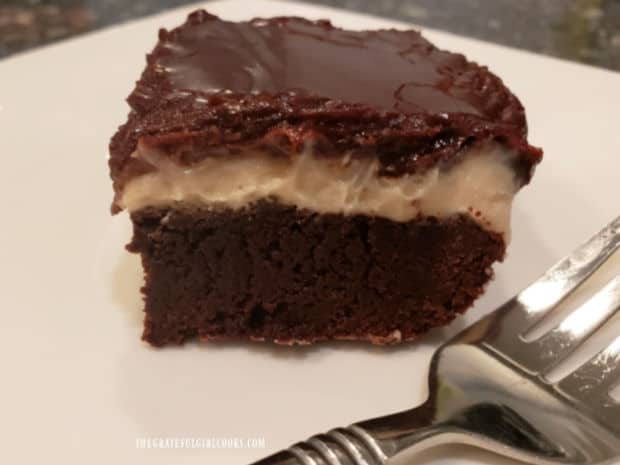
column 213, row 86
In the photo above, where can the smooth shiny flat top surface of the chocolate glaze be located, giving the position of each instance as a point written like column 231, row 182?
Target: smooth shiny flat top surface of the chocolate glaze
column 388, row 69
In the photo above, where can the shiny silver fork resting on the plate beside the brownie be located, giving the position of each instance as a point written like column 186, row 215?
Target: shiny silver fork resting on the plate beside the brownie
column 488, row 387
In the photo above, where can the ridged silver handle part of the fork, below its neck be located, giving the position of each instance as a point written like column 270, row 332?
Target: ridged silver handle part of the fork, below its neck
column 371, row 442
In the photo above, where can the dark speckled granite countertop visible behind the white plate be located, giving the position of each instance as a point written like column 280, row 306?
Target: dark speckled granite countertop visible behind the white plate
column 582, row 30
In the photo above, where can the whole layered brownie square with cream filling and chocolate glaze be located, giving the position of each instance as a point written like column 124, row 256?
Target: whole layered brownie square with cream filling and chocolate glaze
column 293, row 182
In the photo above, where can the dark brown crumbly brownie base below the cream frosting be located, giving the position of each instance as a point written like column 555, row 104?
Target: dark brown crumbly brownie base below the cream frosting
column 272, row 272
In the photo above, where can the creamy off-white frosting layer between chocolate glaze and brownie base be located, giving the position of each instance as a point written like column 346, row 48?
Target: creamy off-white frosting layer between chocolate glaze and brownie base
column 481, row 184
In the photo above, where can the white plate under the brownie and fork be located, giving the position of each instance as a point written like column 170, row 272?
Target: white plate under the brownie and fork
column 78, row 386
